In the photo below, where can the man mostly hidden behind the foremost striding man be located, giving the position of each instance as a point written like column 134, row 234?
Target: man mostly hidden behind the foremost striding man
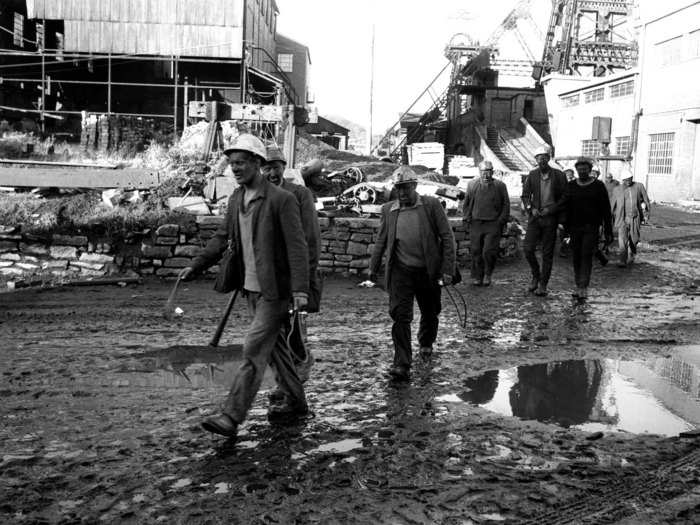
column 274, row 171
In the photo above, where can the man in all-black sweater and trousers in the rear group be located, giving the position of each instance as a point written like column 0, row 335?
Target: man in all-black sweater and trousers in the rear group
column 587, row 209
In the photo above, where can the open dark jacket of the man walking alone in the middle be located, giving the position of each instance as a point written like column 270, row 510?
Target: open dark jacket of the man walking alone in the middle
column 435, row 233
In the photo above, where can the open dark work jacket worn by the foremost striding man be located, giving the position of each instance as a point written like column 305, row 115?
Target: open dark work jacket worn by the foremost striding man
column 281, row 254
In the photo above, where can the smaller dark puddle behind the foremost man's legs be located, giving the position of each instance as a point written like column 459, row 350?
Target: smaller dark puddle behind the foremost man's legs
column 183, row 366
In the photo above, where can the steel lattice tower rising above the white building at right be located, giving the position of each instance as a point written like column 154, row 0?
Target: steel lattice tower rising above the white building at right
column 584, row 34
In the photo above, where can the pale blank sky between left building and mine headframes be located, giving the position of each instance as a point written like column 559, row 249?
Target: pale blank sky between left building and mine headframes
column 411, row 36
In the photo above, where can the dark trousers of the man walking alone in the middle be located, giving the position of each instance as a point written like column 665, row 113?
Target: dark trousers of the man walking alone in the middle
column 406, row 283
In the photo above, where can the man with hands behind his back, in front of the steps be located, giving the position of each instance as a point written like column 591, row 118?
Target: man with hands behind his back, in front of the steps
column 486, row 210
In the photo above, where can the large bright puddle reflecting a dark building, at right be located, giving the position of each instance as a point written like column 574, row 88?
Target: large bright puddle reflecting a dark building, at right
column 655, row 395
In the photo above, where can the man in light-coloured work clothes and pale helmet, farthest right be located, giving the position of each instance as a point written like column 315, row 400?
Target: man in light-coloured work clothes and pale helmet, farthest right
column 630, row 203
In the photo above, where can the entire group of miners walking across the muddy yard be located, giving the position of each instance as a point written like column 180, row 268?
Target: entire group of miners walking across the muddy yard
column 272, row 235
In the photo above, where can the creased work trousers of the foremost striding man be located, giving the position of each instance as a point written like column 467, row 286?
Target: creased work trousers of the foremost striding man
column 261, row 347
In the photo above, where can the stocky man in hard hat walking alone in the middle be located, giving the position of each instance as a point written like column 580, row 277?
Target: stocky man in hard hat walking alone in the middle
column 420, row 256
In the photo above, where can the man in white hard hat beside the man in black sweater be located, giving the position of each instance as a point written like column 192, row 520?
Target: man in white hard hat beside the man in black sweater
column 544, row 195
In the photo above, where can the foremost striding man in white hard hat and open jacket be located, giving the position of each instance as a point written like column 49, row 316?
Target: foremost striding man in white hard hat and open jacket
column 270, row 266
